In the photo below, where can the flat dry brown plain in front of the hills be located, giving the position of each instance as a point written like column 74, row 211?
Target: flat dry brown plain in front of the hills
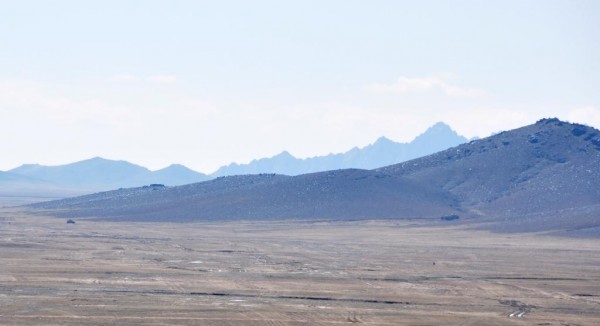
column 290, row 273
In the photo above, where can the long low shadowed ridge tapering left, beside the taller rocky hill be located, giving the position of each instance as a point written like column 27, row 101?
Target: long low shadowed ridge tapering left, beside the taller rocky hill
column 342, row 194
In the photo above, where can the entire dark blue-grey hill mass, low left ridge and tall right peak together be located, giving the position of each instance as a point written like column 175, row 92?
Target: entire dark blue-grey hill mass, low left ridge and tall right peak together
column 542, row 177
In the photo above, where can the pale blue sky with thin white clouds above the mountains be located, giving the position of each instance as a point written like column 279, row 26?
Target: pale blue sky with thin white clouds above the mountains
column 207, row 83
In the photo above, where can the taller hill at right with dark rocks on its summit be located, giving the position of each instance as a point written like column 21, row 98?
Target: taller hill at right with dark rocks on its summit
column 541, row 176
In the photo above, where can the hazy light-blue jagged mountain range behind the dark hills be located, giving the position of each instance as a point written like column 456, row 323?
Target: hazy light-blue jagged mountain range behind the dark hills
column 98, row 174
